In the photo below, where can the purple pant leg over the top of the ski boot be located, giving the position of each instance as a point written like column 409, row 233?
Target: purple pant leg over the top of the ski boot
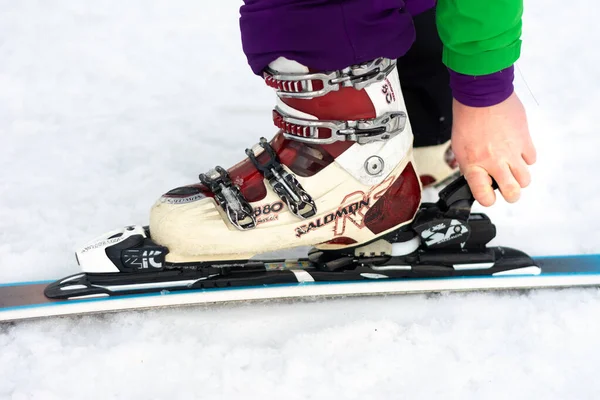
column 324, row 34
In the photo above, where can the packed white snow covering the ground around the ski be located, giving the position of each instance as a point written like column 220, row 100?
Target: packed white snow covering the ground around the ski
column 105, row 105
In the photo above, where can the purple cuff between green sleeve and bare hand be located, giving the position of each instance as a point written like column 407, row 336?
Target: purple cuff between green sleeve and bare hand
column 483, row 90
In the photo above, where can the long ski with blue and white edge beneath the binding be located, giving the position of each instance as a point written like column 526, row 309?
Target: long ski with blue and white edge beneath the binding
column 26, row 300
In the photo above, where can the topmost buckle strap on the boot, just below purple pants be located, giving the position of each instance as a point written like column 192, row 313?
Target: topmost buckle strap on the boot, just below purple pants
column 307, row 85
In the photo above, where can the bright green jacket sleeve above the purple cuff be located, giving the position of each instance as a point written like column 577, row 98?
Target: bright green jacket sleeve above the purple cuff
column 480, row 37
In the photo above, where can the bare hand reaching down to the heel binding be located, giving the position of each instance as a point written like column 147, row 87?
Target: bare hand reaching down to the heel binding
column 493, row 141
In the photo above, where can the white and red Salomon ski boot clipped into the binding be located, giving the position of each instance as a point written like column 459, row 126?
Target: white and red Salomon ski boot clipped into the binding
column 339, row 173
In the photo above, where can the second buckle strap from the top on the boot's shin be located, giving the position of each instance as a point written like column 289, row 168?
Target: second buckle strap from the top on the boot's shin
column 364, row 131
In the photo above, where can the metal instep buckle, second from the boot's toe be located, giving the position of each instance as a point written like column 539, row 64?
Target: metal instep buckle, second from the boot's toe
column 287, row 187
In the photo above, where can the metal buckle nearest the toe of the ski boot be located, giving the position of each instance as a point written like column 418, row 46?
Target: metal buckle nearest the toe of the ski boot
column 230, row 198
